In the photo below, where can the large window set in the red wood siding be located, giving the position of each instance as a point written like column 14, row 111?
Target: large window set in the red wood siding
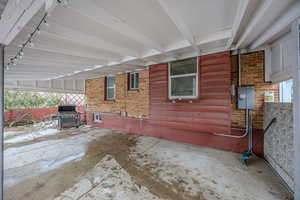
column 183, row 79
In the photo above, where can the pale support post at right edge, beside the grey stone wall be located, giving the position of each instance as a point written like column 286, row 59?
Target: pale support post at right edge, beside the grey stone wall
column 296, row 114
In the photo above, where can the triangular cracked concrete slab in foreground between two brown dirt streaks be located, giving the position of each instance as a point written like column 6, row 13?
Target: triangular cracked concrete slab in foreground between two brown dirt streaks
column 108, row 180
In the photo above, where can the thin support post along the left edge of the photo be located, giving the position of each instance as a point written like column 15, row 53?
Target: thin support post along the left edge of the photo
column 1, row 117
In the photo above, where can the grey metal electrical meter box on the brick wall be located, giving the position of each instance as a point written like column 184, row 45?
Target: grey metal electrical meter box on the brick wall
column 246, row 98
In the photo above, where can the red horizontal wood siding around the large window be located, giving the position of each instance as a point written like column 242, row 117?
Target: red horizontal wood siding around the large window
column 211, row 112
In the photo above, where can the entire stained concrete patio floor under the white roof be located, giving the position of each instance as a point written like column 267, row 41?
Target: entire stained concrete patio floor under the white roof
column 91, row 163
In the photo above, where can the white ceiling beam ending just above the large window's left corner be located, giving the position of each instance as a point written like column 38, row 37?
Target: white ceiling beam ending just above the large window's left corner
column 98, row 14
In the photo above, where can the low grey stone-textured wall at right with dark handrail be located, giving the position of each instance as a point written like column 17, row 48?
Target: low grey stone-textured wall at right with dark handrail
column 278, row 143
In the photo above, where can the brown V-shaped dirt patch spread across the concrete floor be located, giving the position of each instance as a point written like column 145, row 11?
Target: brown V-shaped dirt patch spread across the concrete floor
column 118, row 145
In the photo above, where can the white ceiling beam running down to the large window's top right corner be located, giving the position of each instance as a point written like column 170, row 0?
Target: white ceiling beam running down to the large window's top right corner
column 180, row 24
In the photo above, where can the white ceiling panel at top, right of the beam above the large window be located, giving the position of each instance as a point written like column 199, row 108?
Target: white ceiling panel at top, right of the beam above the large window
column 205, row 17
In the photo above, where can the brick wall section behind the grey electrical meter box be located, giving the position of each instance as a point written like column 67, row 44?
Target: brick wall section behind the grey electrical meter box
column 252, row 74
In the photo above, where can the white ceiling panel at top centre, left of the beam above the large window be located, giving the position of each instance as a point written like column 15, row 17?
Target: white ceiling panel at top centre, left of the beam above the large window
column 146, row 16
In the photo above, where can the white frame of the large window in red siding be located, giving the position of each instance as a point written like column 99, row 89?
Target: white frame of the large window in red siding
column 183, row 75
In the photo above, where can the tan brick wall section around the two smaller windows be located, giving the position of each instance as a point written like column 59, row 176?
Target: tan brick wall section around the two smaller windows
column 135, row 102
